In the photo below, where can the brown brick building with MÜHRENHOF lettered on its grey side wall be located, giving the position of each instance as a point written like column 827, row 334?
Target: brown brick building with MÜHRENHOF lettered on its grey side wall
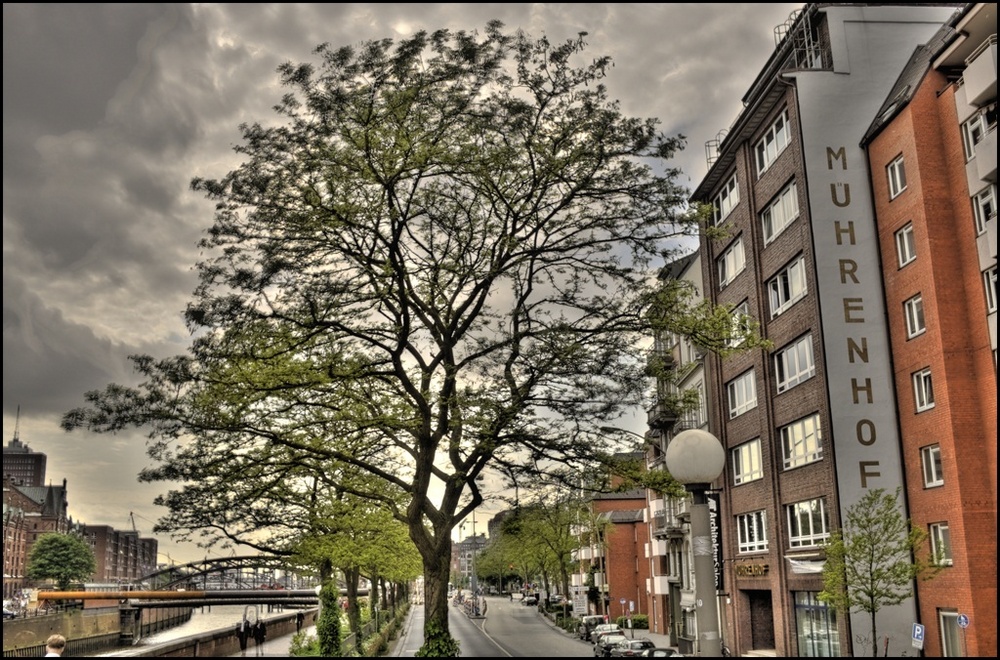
column 810, row 424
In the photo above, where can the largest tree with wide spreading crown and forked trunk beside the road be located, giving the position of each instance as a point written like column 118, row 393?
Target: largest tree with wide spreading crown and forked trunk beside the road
column 441, row 256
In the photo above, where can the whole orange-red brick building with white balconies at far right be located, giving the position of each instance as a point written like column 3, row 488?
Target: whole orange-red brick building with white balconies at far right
column 932, row 153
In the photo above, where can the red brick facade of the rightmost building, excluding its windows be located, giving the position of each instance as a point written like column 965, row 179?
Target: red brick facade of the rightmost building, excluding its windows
column 955, row 347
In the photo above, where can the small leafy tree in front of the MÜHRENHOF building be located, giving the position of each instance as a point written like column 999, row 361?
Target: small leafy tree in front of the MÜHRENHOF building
column 872, row 561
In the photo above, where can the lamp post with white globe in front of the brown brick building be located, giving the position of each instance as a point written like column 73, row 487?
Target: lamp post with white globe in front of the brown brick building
column 696, row 458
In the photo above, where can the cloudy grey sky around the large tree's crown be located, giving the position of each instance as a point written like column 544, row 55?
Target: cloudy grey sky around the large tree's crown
column 110, row 110
